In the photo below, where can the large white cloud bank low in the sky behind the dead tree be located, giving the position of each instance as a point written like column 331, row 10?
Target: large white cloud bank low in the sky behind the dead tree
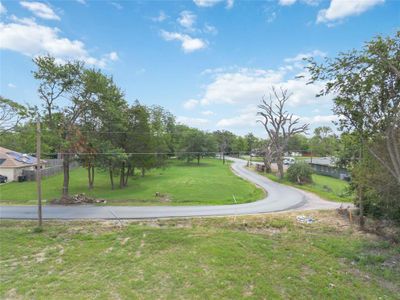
column 243, row 89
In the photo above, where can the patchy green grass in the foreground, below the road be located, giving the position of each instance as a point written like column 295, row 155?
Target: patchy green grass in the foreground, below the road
column 233, row 258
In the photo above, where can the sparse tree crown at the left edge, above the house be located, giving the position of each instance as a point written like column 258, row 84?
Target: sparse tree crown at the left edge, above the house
column 11, row 114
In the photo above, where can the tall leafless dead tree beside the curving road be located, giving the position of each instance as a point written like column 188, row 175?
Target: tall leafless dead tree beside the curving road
column 279, row 124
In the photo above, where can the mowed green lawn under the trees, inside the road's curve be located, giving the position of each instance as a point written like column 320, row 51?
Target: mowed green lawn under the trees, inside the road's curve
column 179, row 183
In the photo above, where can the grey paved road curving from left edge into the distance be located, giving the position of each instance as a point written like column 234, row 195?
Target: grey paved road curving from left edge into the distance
column 280, row 198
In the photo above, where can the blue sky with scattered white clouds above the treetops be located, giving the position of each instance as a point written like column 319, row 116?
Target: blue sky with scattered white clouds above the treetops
column 208, row 61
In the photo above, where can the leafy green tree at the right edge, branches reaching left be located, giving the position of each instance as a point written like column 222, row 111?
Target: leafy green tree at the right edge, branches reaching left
column 366, row 85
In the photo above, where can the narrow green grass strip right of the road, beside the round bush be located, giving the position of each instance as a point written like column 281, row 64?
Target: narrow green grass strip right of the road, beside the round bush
column 324, row 186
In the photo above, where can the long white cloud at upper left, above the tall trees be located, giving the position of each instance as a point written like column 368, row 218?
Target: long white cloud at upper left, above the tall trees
column 29, row 38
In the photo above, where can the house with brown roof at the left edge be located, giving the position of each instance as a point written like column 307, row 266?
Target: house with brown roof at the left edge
column 13, row 164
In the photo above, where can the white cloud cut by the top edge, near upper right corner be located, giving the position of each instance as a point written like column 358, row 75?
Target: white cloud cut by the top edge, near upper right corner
column 339, row 9
